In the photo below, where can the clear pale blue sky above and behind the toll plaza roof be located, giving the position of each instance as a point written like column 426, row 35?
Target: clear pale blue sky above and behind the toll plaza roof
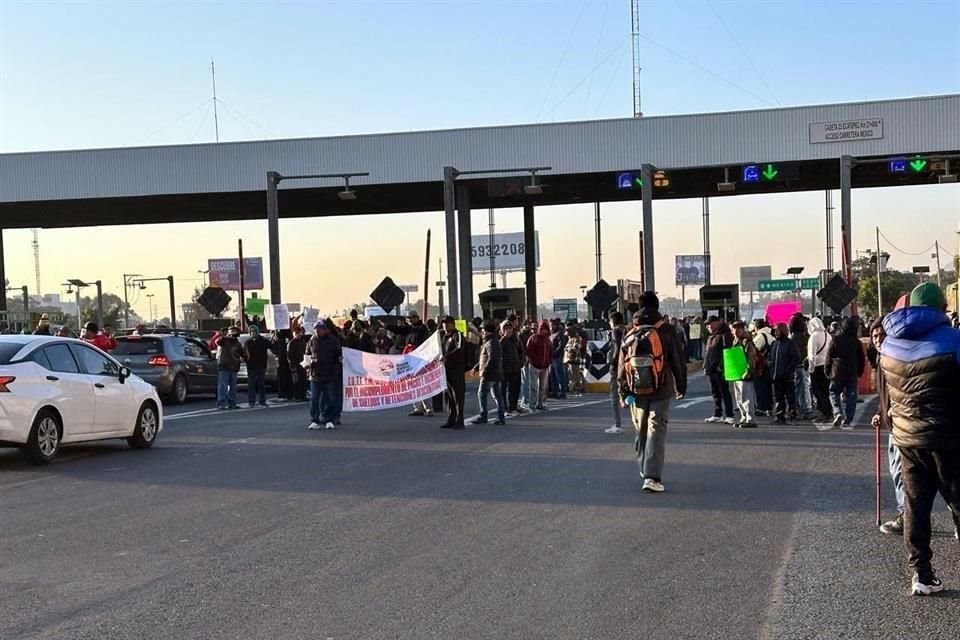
column 76, row 75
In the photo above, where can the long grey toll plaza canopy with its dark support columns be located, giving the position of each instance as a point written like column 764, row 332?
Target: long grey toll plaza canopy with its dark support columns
column 822, row 147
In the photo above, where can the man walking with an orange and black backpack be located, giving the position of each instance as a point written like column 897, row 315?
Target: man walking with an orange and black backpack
column 652, row 372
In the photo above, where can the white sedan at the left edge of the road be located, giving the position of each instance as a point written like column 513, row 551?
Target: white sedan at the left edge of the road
column 56, row 391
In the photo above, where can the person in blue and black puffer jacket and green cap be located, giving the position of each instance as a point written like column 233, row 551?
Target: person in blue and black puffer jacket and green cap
column 920, row 359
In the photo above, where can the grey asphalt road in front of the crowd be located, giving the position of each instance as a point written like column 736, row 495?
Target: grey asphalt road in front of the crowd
column 241, row 525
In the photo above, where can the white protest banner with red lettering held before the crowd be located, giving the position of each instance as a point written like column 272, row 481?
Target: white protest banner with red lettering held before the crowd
column 373, row 382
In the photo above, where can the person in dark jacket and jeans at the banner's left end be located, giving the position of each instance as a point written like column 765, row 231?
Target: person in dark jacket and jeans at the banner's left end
column 326, row 365
